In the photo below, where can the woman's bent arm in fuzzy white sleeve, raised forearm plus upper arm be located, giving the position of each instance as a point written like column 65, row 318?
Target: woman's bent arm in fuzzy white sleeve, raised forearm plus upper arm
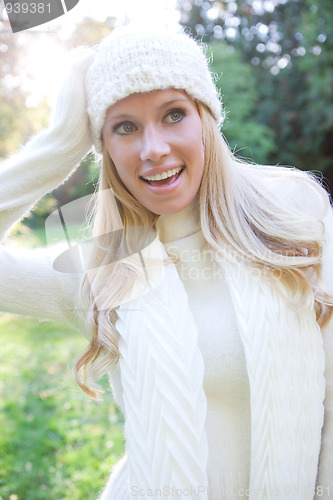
column 28, row 283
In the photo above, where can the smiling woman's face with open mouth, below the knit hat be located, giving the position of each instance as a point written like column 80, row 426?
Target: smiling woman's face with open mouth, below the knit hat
column 155, row 141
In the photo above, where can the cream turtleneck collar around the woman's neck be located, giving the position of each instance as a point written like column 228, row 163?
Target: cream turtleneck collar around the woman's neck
column 179, row 225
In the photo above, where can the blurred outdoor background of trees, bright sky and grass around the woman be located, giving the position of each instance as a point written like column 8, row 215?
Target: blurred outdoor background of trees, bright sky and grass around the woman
column 273, row 61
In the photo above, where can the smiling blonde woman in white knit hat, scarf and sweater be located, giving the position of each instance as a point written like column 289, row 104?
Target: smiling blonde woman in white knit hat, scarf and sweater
column 211, row 331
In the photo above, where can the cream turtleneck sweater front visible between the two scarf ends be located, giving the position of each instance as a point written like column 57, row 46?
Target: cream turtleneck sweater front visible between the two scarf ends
column 226, row 385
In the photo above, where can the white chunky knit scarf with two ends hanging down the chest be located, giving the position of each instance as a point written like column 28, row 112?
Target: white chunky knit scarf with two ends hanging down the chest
column 165, row 405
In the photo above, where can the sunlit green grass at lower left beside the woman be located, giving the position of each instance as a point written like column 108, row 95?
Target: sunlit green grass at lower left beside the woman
column 55, row 443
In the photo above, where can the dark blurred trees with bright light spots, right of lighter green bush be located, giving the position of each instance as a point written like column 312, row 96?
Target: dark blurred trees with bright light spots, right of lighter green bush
column 289, row 42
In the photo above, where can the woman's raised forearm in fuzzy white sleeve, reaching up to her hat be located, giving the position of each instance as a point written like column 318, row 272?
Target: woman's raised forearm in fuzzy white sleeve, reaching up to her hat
column 52, row 155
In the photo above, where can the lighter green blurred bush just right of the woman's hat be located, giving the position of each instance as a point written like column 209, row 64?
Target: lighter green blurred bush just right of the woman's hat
column 240, row 95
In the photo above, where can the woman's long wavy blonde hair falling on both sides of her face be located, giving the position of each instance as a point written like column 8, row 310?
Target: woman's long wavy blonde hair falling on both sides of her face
column 241, row 219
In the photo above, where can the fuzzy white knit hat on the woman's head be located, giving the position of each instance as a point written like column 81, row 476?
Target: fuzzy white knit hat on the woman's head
column 132, row 60
